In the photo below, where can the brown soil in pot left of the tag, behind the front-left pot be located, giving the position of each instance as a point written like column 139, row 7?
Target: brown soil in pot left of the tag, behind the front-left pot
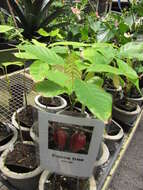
column 27, row 116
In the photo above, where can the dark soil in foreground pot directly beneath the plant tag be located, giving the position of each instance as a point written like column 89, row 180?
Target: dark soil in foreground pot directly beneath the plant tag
column 58, row 182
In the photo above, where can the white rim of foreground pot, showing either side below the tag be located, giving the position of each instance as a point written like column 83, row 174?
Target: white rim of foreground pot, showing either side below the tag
column 46, row 174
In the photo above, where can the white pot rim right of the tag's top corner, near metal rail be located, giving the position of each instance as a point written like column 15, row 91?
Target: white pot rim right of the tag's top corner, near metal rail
column 114, row 137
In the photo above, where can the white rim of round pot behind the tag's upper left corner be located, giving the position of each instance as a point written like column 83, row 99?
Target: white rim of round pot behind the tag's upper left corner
column 51, row 109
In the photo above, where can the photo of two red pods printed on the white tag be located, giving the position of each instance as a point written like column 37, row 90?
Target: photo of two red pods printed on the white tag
column 69, row 138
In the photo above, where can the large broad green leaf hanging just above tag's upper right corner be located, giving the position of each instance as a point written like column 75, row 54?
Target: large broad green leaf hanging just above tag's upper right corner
column 96, row 99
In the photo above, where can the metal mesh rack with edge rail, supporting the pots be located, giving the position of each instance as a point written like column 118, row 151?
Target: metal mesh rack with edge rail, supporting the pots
column 10, row 101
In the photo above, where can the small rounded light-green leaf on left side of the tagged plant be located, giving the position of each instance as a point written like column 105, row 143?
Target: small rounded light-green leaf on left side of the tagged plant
column 39, row 70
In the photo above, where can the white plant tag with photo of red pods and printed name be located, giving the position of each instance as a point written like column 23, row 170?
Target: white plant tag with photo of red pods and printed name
column 69, row 145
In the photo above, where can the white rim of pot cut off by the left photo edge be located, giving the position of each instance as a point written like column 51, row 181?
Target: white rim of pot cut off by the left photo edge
column 13, row 139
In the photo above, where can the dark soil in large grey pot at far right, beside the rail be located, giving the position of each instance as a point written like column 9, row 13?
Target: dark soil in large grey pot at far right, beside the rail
column 125, row 105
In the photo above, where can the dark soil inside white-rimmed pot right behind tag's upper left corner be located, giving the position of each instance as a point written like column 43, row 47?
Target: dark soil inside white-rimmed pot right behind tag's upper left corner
column 50, row 102
